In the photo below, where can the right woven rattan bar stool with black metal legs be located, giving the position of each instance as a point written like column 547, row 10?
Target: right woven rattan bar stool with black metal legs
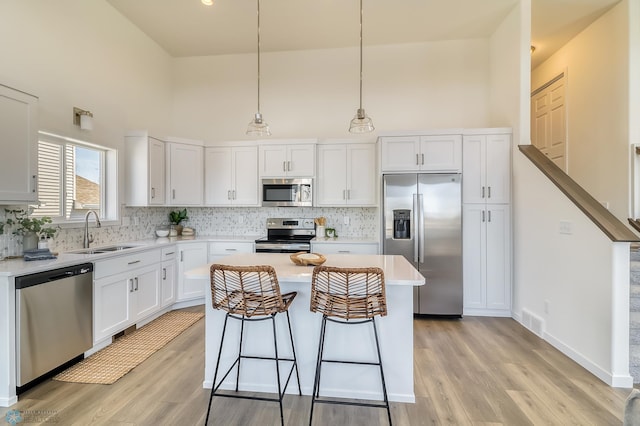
column 347, row 296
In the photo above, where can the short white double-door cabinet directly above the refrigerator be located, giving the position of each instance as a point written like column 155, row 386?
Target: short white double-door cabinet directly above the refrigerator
column 430, row 153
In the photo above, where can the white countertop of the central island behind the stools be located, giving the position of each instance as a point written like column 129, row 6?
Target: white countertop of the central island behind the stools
column 397, row 270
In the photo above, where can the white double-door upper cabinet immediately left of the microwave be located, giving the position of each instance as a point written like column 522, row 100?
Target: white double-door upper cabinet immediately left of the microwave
column 231, row 176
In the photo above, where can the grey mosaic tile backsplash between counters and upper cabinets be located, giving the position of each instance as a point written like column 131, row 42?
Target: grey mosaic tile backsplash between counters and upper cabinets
column 240, row 221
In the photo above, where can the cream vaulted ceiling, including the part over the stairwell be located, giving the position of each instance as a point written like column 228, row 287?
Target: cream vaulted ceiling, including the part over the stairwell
column 189, row 28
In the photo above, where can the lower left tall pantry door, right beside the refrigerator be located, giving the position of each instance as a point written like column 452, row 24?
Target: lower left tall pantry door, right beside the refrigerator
column 474, row 234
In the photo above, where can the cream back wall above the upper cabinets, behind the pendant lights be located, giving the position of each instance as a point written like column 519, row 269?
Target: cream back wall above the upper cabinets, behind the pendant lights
column 315, row 93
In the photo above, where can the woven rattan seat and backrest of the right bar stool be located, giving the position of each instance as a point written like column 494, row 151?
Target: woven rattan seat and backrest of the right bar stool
column 348, row 293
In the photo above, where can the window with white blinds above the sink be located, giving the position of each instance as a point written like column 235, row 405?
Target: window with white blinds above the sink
column 73, row 178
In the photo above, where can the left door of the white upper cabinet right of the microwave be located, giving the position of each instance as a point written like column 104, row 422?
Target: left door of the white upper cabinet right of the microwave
column 331, row 184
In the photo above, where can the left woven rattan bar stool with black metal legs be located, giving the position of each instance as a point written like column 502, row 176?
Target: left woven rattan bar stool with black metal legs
column 250, row 293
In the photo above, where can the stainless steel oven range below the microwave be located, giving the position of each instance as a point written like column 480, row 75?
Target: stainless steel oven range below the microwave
column 286, row 235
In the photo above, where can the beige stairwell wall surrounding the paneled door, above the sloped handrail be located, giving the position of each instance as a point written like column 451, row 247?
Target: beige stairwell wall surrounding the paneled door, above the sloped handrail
column 598, row 102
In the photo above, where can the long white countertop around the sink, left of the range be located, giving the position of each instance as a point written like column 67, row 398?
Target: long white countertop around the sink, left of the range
column 14, row 267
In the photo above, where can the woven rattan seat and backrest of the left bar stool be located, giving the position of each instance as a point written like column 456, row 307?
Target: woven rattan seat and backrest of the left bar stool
column 246, row 290
